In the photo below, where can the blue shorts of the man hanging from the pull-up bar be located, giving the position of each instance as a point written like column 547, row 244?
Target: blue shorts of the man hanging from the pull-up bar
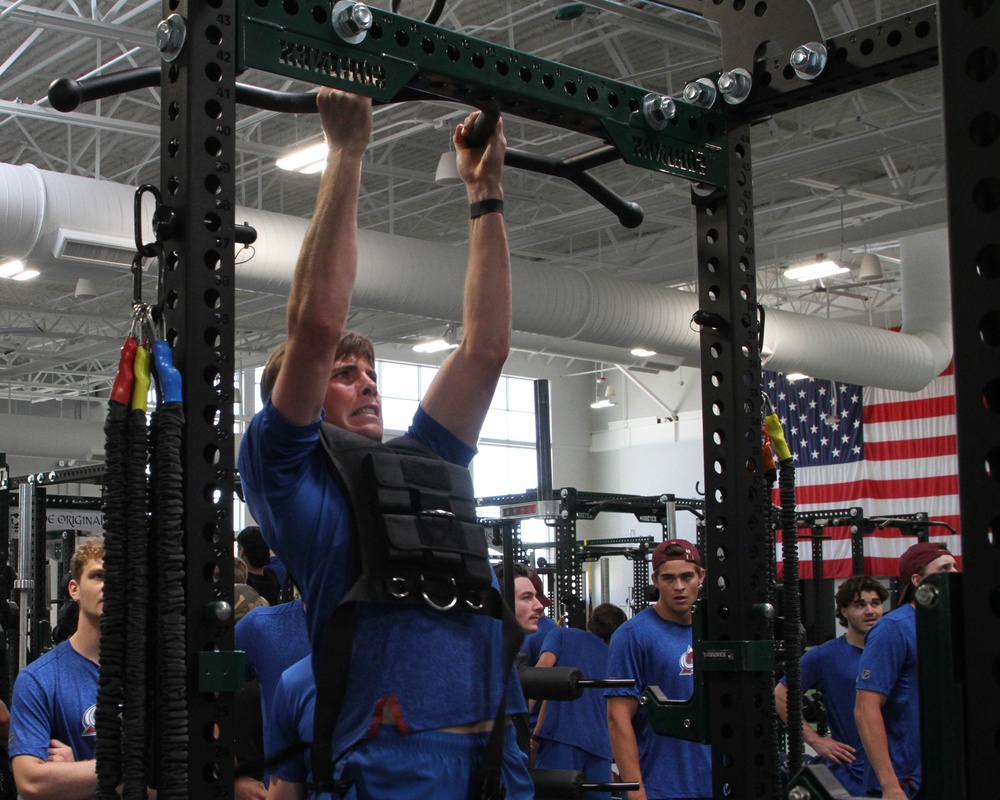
column 429, row 765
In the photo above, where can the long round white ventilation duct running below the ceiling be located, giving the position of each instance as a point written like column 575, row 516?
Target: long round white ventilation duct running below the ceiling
column 424, row 278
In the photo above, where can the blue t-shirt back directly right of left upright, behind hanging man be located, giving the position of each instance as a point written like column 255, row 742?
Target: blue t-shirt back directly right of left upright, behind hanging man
column 273, row 638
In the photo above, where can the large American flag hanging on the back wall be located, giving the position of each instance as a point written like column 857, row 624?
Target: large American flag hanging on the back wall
column 889, row 452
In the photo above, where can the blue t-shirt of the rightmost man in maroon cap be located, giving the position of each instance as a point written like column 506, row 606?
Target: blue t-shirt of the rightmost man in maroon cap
column 889, row 666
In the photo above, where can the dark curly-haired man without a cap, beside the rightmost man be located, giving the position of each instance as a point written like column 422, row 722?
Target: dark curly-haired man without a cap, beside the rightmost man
column 832, row 668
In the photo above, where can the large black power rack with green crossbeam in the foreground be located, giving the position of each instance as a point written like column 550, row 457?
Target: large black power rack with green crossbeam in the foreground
column 703, row 137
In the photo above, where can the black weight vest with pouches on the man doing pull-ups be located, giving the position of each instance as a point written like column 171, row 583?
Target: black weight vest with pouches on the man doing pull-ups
column 418, row 542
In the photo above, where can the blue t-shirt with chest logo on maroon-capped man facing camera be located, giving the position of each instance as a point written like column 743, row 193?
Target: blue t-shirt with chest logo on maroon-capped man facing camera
column 657, row 652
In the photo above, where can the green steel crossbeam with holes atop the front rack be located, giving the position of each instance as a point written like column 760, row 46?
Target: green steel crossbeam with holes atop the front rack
column 404, row 59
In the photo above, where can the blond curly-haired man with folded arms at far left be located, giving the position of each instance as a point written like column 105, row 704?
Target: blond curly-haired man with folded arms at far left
column 52, row 733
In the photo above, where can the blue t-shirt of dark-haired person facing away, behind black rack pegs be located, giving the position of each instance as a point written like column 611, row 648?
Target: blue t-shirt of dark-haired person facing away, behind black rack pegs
column 582, row 722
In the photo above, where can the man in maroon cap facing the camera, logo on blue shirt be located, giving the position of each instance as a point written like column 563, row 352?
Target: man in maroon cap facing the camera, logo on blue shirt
column 655, row 648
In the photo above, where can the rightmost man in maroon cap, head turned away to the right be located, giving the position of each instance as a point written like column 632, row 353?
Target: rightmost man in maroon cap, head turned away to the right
column 887, row 708
